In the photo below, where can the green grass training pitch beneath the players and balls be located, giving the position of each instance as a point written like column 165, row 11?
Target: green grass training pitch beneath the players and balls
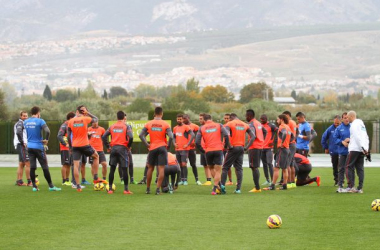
column 313, row 217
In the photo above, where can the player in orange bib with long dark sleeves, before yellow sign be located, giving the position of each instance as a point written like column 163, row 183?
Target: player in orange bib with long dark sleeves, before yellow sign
column 121, row 140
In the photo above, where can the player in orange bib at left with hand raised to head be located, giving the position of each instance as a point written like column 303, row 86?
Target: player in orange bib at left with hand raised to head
column 80, row 144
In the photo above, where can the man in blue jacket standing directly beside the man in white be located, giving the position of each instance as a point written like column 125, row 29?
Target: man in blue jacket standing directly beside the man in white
column 341, row 139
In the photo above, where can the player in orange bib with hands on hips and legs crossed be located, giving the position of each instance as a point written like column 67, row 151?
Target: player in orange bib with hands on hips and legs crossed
column 213, row 134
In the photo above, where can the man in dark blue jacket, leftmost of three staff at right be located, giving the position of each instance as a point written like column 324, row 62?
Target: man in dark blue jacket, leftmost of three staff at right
column 330, row 147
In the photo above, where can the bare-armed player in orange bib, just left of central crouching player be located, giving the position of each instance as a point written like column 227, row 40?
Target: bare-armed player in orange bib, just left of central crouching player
column 158, row 156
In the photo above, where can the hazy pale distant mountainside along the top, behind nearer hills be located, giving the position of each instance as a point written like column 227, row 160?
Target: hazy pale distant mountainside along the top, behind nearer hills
column 24, row 20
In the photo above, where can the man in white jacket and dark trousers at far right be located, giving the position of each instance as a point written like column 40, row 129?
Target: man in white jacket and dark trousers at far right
column 358, row 147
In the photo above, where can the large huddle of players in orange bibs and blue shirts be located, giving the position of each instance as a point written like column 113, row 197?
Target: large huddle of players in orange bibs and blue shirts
column 221, row 146
